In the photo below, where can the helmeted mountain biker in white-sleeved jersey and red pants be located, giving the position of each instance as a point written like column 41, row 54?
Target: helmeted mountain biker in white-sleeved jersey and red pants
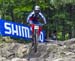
column 33, row 18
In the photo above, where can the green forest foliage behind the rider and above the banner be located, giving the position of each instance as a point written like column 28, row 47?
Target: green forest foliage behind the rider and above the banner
column 59, row 13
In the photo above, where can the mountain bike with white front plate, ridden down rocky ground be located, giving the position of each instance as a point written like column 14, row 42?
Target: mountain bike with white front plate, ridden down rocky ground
column 35, row 39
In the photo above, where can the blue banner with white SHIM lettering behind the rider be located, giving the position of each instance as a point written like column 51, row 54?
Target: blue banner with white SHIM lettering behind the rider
column 17, row 30
